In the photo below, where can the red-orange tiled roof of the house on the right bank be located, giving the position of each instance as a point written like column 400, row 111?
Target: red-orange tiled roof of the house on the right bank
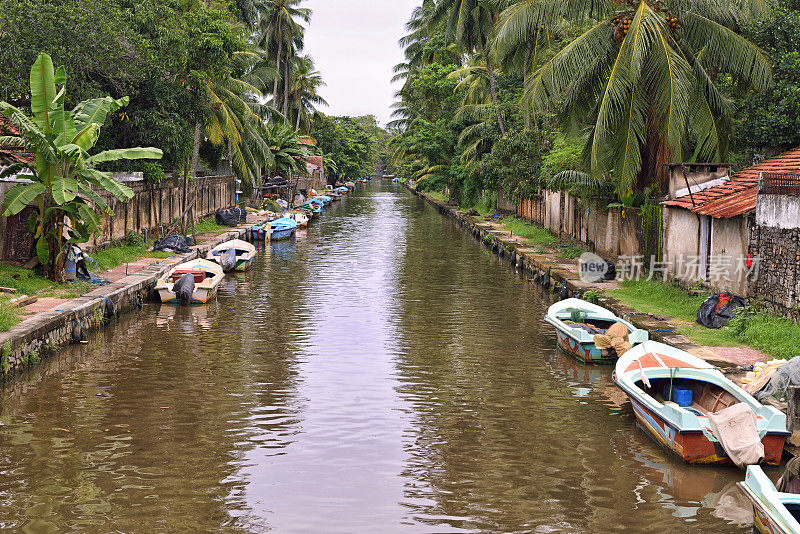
column 738, row 195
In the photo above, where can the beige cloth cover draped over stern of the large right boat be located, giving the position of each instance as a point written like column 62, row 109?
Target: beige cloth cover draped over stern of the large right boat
column 735, row 428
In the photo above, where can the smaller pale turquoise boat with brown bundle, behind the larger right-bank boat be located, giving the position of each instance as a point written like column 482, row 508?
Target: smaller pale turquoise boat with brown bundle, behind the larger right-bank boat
column 577, row 322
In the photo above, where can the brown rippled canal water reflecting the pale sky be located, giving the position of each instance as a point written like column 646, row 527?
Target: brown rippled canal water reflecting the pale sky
column 383, row 372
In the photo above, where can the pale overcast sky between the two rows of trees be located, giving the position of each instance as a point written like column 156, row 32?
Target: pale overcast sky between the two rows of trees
column 354, row 45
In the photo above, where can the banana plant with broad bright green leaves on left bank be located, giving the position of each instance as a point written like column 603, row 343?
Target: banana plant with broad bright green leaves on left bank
column 65, row 179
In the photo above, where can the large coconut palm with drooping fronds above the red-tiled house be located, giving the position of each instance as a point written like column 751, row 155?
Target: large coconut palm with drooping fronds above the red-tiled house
column 642, row 77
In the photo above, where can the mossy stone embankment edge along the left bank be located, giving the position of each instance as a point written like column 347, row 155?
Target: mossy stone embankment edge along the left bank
column 46, row 332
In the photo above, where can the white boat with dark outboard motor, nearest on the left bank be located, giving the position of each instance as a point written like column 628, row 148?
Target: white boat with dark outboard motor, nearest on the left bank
column 193, row 282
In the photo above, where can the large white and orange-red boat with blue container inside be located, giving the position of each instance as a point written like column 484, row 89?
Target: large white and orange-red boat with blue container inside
column 679, row 400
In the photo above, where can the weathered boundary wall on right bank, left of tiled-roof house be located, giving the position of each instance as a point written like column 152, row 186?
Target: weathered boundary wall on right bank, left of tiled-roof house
column 610, row 233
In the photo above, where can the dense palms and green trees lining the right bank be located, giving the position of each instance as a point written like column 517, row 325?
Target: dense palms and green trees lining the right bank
column 590, row 97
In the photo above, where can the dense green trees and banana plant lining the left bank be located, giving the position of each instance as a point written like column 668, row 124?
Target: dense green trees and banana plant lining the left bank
column 205, row 85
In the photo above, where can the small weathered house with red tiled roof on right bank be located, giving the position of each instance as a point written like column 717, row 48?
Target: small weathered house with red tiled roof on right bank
column 708, row 220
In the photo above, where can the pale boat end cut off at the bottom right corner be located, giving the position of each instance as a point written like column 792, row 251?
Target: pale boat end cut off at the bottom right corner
column 774, row 512
